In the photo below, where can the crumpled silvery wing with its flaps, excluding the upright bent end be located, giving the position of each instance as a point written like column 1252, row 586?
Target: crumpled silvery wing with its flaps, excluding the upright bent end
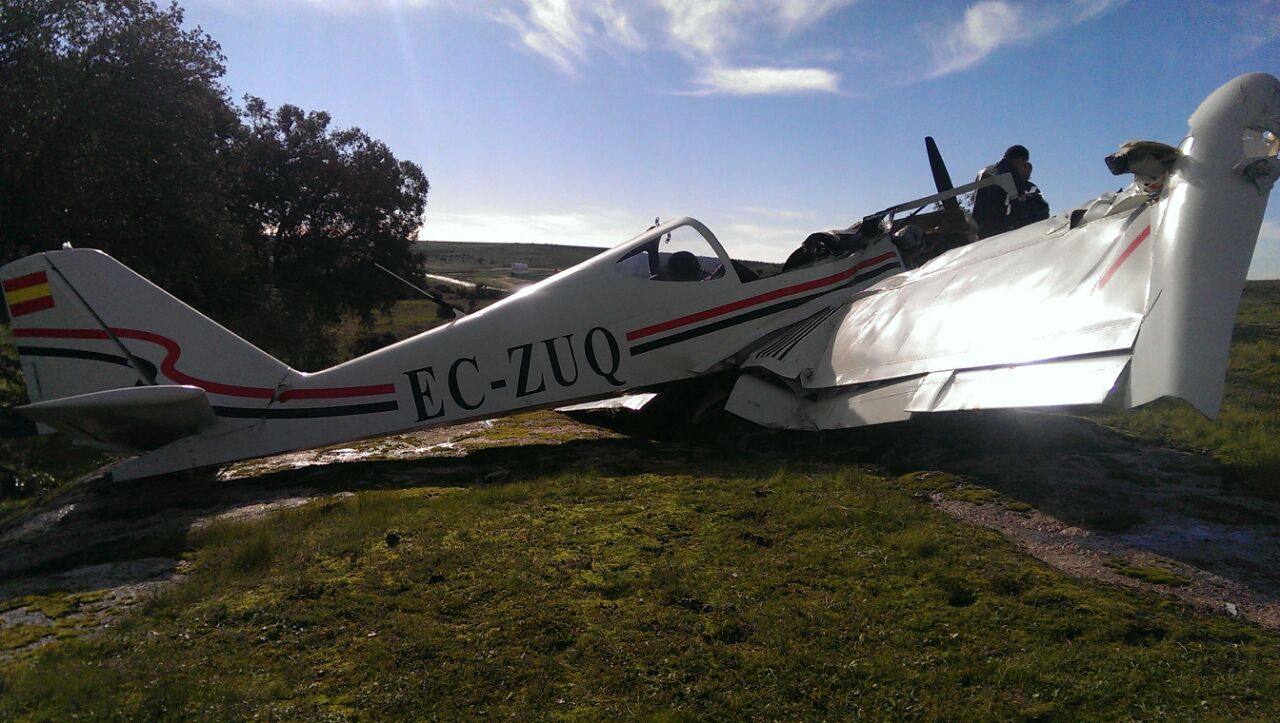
column 1021, row 321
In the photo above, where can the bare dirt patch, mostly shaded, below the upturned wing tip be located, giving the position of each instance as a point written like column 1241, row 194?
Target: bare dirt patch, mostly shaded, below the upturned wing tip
column 1105, row 506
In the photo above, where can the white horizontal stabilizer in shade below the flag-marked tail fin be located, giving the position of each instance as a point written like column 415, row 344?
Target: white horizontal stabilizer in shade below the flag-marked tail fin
column 135, row 418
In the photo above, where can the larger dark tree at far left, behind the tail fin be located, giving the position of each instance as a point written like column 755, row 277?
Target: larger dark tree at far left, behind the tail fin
column 113, row 134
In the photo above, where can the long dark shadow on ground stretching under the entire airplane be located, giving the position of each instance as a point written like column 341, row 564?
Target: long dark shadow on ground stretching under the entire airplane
column 1092, row 489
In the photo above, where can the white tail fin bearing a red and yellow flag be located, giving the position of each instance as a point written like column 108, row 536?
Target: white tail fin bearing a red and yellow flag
column 86, row 324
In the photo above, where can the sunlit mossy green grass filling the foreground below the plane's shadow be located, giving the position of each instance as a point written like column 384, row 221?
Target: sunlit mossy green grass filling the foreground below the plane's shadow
column 813, row 592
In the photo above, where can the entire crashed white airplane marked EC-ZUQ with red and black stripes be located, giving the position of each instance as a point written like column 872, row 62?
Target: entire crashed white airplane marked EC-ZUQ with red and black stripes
column 1123, row 301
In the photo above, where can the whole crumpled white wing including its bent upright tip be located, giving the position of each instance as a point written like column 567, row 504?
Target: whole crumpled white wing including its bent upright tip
column 1133, row 305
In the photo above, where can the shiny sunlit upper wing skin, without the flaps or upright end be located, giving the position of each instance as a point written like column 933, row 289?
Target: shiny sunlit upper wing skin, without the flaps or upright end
column 1020, row 298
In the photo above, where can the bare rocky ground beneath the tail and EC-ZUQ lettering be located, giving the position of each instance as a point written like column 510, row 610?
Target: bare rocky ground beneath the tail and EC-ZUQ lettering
column 100, row 548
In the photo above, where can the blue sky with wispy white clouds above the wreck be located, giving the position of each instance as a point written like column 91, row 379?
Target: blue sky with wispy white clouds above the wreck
column 582, row 121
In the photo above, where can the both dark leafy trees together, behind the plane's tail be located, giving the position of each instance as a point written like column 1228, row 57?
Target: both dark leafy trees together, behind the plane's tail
column 117, row 134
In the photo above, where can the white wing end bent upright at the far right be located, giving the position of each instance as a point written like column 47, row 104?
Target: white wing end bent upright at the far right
column 1205, row 241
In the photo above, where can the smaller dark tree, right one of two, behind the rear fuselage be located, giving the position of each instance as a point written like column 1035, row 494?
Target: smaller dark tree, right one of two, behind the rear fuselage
column 324, row 207
